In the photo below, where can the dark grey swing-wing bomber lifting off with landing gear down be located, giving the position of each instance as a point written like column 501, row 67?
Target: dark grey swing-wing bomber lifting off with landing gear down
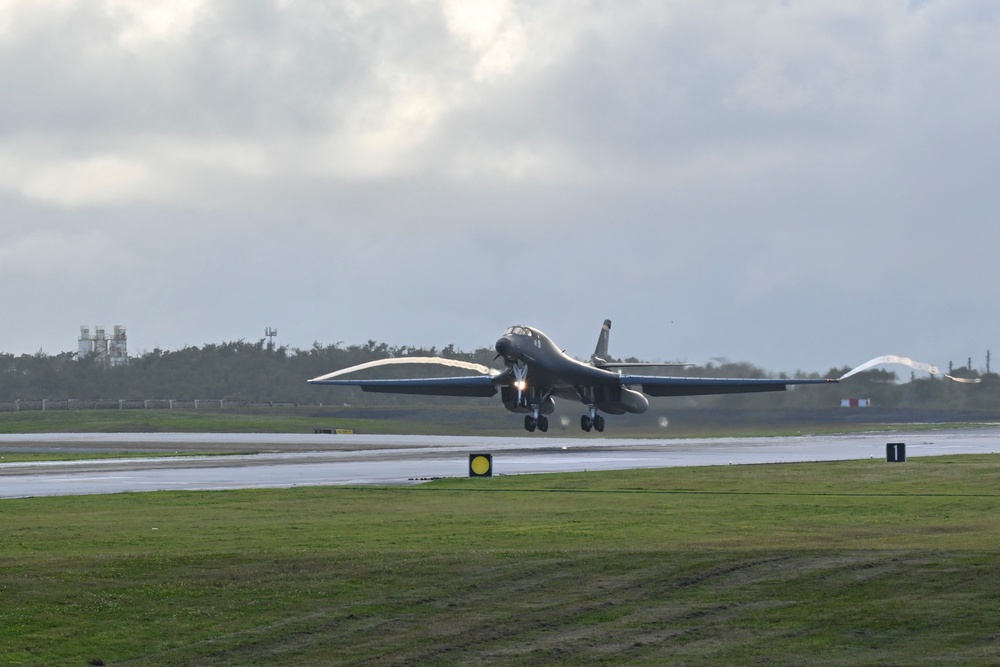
column 538, row 371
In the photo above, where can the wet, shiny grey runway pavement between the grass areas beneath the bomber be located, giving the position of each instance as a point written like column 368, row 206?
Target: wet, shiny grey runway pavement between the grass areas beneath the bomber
column 281, row 461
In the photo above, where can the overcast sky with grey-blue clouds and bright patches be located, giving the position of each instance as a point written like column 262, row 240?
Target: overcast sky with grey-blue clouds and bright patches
column 800, row 185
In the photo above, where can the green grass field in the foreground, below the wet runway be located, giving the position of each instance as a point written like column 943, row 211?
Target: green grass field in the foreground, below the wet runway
column 851, row 563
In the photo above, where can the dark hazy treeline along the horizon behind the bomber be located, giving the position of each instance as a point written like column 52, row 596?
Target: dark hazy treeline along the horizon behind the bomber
column 258, row 372
